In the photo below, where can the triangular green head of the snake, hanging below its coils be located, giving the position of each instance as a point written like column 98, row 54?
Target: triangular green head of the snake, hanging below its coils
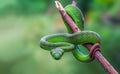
column 57, row 53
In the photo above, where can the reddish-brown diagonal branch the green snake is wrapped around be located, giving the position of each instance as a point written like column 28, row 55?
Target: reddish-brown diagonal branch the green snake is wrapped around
column 106, row 65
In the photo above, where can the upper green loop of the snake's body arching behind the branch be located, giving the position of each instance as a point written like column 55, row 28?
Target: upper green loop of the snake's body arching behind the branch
column 77, row 16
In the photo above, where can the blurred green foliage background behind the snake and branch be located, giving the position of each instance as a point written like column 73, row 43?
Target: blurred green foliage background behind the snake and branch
column 24, row 22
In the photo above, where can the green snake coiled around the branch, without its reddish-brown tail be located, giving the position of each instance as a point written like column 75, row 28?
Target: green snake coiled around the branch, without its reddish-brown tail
column 59, row 43
